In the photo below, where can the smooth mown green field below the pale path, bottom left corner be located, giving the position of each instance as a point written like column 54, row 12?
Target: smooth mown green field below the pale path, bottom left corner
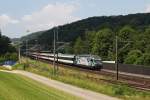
column 15, row 87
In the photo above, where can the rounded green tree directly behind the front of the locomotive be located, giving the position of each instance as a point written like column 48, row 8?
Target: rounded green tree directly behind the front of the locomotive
column 103, row 43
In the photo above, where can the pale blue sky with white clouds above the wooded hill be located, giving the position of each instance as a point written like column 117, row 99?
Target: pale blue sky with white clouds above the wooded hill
column 21, row 17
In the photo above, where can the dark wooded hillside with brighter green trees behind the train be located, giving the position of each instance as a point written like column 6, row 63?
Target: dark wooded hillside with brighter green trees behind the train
column 97, row 35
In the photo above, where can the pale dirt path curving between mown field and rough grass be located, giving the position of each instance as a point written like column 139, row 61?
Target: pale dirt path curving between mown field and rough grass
column 83, row 93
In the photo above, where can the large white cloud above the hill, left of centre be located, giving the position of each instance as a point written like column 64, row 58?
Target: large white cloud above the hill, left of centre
column 49, row 16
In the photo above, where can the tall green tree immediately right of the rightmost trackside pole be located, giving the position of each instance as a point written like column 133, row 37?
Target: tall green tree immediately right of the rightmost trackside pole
column 125, row 42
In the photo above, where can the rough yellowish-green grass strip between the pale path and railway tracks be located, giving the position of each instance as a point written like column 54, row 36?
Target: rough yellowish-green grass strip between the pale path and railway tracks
column 84, row 80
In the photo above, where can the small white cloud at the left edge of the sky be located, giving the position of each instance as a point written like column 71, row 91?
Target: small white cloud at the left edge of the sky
column 5, row 20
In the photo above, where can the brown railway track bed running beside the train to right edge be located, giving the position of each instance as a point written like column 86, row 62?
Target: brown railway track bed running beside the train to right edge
column 131, row 81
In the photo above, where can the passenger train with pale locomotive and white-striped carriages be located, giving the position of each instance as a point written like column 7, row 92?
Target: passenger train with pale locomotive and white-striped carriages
column 85, row 61
